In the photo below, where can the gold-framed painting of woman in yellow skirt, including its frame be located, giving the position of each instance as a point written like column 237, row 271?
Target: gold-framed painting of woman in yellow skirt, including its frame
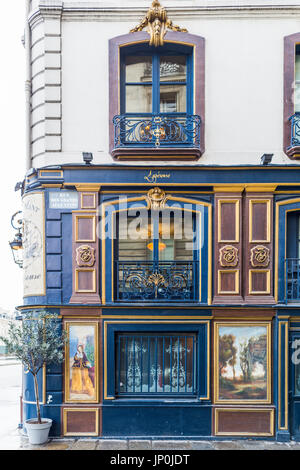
column 81, row 362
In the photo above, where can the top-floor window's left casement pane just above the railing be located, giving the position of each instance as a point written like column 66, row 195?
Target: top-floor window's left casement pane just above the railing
column 138, row 99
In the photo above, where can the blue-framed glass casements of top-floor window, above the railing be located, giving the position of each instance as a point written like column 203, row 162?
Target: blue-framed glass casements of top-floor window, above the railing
column 157, row 82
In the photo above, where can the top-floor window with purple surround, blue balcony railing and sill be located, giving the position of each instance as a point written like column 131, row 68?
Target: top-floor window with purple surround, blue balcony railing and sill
column 160, row 98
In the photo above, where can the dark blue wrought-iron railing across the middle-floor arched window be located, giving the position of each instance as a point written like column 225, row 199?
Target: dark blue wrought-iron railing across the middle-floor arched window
column 161, row 281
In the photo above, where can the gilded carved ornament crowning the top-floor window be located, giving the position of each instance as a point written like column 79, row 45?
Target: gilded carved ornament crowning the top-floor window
column 157, row 22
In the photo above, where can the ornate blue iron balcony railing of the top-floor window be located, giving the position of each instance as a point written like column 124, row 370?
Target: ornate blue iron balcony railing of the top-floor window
column 157, row 130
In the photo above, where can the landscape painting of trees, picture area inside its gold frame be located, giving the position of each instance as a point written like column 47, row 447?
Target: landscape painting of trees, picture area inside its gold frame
column 243, row 363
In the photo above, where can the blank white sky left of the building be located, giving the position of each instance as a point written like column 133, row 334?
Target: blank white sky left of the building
column 12, row 139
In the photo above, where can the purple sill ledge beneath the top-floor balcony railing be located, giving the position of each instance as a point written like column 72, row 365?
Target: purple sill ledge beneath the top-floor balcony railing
column 160, row 153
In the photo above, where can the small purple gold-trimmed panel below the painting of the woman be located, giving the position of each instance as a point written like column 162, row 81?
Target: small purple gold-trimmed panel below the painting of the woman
column 81, row 421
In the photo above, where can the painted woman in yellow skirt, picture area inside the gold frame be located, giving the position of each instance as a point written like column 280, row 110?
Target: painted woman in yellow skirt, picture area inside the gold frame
column 82, row 363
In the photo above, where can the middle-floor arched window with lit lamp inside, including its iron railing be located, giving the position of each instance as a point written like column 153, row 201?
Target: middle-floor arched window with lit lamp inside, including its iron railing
column 157, row 260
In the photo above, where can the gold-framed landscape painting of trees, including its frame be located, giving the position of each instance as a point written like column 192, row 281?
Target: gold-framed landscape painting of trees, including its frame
column 242, row 363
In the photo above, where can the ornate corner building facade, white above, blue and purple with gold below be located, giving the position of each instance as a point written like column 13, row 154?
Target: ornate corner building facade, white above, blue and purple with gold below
column 162, row 213
